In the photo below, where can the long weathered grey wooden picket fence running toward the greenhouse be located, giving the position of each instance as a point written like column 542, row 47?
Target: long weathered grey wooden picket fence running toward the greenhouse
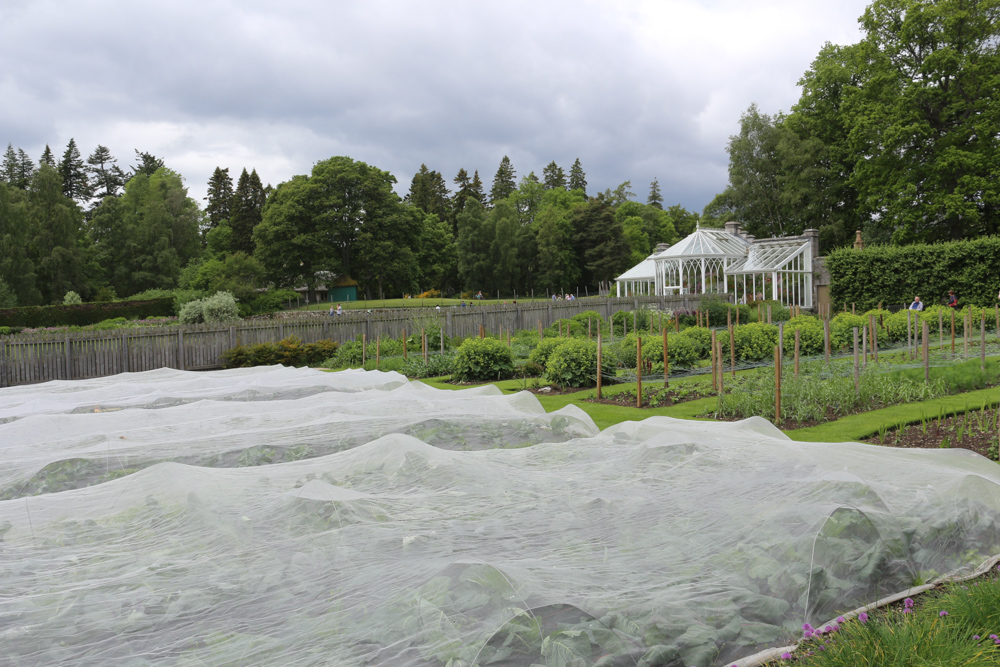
column 41, row 357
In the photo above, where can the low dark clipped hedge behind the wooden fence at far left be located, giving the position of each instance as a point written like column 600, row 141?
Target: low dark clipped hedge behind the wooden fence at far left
column 82, row 314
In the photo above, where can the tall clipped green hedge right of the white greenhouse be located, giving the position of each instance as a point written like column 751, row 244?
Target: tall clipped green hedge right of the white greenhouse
column 895, row 274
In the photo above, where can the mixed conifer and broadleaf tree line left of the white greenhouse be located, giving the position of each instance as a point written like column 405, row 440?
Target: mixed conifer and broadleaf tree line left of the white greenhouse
column 105, row 232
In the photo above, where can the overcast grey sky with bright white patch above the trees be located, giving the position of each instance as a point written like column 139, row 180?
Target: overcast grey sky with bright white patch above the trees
column 635, row 89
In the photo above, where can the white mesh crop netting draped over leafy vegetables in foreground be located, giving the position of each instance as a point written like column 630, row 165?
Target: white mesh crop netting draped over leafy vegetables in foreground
column 381, row 522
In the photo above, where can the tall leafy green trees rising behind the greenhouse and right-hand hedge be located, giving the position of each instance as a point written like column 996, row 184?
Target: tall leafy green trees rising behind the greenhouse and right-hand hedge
column 897, row 135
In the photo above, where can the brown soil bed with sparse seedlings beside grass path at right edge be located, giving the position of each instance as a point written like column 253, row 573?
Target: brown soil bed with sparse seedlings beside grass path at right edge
column 979, row 440
